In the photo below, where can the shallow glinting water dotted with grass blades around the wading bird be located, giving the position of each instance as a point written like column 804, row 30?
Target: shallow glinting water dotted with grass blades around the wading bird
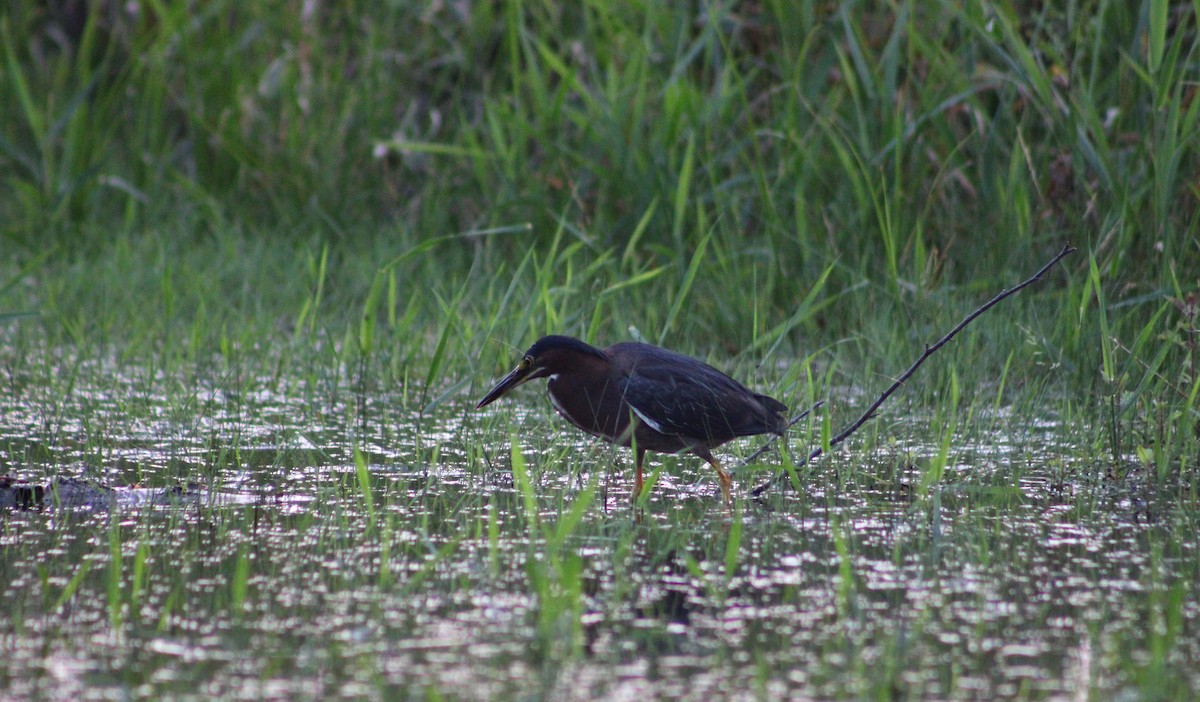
column 1019, row 574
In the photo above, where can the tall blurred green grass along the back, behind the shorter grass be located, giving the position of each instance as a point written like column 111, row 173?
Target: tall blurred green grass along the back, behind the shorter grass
column 908, row 134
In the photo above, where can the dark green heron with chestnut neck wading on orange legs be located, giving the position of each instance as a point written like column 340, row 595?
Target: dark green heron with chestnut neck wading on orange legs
column 645, row 397
